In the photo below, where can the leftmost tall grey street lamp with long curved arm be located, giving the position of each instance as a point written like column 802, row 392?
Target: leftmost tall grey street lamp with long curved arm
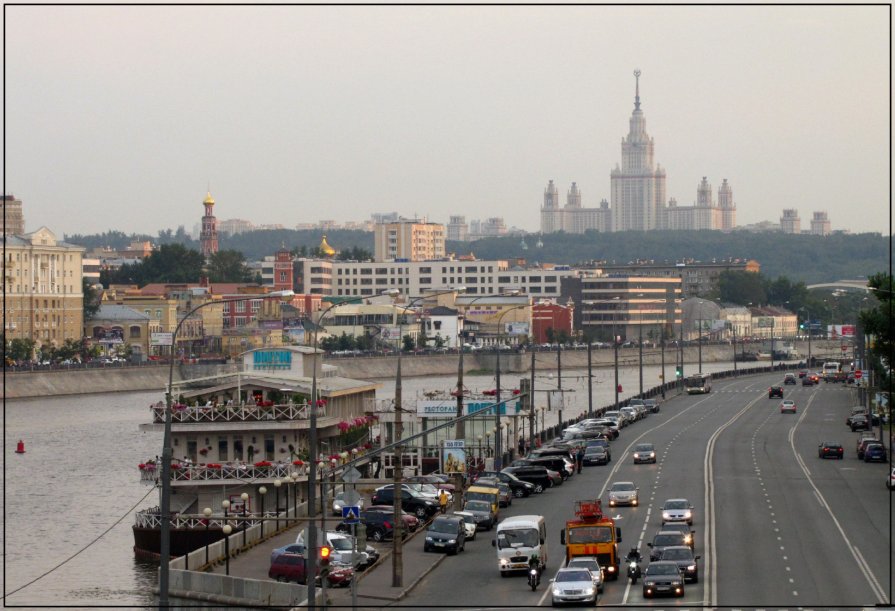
column 168, row 451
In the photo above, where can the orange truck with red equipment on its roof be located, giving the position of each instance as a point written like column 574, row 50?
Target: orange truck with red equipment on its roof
column 592, row 533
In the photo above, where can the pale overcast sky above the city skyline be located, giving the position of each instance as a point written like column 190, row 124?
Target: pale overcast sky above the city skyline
column 122, row 117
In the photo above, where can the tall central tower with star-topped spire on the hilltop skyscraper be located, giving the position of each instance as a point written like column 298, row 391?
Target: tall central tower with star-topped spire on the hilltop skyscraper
column 638, row 187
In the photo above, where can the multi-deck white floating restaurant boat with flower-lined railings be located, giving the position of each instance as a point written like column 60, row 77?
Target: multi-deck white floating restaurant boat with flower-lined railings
column 237, row 436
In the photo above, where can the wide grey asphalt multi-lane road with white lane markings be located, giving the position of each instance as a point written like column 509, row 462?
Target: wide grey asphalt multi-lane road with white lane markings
column 776, row 526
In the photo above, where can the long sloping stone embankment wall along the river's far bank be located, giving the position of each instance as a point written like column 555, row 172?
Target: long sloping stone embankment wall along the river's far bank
column 19, row 385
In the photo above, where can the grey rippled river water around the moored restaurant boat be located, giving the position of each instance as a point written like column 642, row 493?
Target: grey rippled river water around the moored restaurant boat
column 70, row 499
